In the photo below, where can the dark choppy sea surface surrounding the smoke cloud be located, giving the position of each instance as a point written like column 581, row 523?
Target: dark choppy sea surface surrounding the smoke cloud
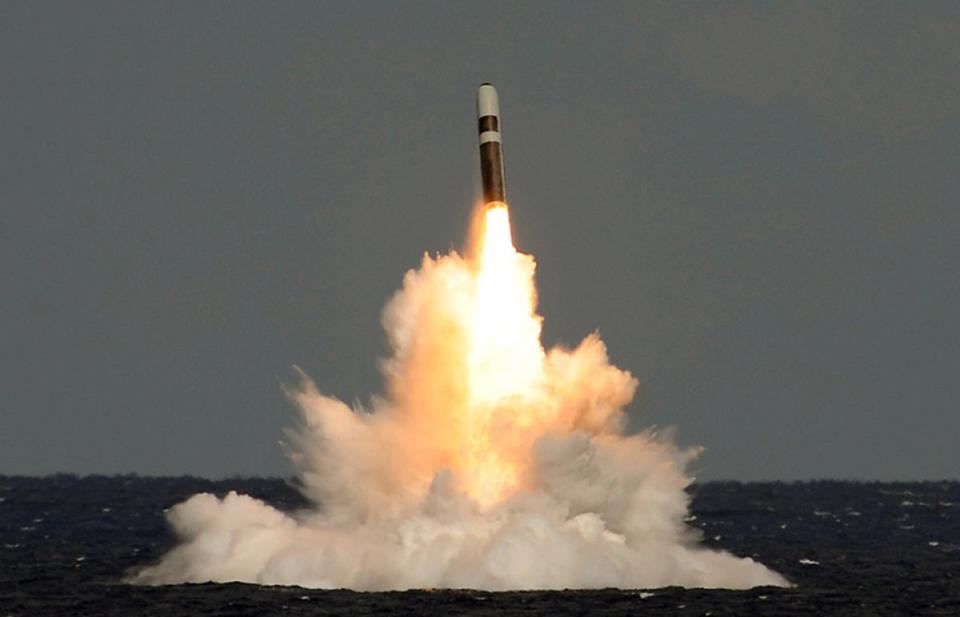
column 850, row 548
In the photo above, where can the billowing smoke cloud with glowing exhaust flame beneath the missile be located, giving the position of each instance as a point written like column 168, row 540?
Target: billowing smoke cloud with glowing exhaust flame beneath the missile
column 489, row 463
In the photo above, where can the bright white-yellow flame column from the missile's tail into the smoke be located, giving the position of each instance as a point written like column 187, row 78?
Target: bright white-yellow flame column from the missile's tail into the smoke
column 505, row 360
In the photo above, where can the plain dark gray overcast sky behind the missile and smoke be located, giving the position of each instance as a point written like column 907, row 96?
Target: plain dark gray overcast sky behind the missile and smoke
column 756, row 205
